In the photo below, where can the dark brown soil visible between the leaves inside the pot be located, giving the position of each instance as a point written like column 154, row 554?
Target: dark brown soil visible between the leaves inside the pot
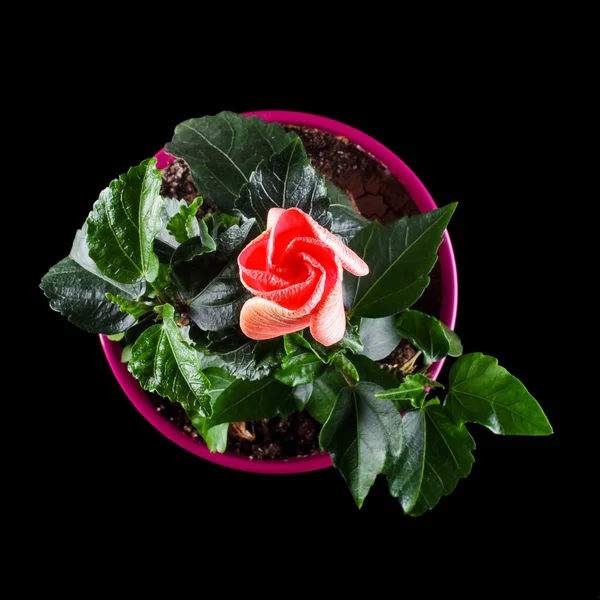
column 379, row 196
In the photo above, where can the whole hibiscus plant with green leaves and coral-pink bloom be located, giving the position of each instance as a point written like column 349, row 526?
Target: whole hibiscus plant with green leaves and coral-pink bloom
column 283, row 298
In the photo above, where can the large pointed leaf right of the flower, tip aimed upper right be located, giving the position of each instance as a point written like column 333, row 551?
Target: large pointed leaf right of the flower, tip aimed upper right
column 400, row 257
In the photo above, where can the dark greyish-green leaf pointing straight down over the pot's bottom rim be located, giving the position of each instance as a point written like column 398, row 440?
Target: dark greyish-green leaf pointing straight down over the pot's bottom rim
column 360, row 434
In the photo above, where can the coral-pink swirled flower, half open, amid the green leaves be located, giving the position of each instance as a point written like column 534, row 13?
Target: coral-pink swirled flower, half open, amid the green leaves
column 294, row 269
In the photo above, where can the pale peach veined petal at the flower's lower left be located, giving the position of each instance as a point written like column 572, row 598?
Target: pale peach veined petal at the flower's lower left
column 262, row 319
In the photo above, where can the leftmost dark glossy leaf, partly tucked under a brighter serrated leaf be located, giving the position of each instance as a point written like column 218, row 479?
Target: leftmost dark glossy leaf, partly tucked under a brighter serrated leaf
column 77, row 289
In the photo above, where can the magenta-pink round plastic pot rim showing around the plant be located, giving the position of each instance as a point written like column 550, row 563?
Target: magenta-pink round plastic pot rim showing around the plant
column 449, row 302
